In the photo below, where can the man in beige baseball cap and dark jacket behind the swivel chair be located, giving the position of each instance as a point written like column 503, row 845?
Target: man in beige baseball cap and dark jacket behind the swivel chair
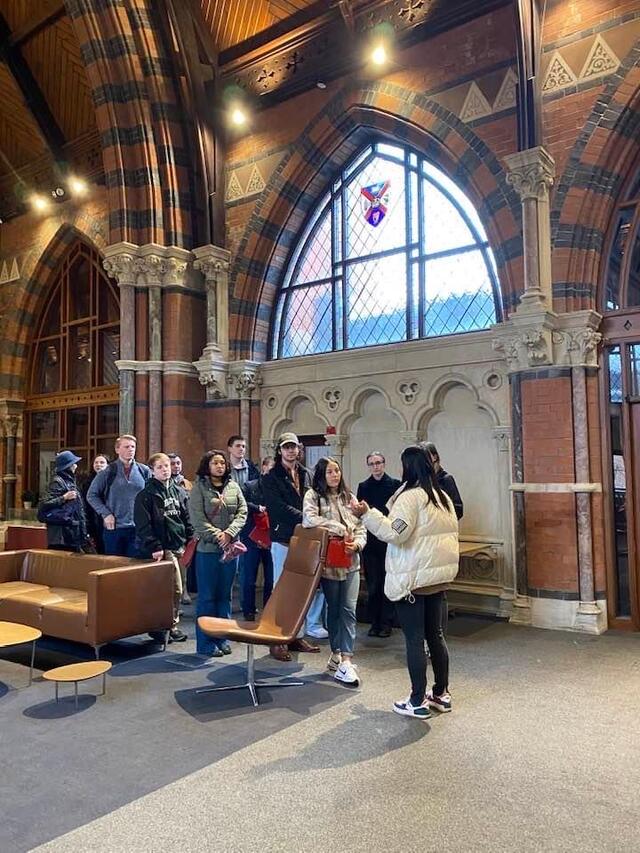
column 284, row 487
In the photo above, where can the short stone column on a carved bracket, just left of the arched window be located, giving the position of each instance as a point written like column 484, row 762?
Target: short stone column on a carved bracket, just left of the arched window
column 213, row 263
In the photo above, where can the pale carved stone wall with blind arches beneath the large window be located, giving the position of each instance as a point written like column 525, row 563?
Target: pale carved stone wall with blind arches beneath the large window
column 452, row 390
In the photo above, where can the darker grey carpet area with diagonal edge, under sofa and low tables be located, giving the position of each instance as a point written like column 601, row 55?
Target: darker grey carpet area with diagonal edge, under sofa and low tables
column 63, row 768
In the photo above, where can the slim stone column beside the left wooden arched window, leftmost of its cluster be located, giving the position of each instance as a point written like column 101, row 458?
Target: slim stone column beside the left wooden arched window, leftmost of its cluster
column 120, row 262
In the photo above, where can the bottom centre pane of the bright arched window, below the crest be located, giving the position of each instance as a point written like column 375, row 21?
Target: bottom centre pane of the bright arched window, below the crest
column 377, row 301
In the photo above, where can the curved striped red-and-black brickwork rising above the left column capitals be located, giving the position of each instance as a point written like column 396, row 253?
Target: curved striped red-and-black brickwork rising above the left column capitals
column 141, row 121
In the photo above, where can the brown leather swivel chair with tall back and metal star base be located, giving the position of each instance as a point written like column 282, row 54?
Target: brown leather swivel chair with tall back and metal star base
column 284, row 613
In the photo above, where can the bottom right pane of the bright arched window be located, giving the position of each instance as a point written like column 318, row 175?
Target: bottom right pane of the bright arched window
column 459, row 296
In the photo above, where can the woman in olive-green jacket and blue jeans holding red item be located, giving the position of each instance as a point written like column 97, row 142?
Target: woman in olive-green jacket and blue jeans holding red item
column 218, row 512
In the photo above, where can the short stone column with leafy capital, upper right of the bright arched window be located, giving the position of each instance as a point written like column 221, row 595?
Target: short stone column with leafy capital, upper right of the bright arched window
column 531, row 173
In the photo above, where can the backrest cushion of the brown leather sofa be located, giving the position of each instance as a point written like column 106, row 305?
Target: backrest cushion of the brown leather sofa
column 63, row 569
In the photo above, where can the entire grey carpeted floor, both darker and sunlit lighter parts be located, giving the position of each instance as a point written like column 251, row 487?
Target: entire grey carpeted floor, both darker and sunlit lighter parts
column 542, row 752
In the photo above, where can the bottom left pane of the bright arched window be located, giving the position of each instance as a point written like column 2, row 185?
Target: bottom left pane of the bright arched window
column 308, row 321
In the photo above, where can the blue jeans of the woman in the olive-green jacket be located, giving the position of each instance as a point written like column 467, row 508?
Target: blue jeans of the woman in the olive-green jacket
column 215, row 581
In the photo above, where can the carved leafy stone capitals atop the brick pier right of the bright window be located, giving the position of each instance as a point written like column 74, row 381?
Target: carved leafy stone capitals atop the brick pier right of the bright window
column 527, row 341
